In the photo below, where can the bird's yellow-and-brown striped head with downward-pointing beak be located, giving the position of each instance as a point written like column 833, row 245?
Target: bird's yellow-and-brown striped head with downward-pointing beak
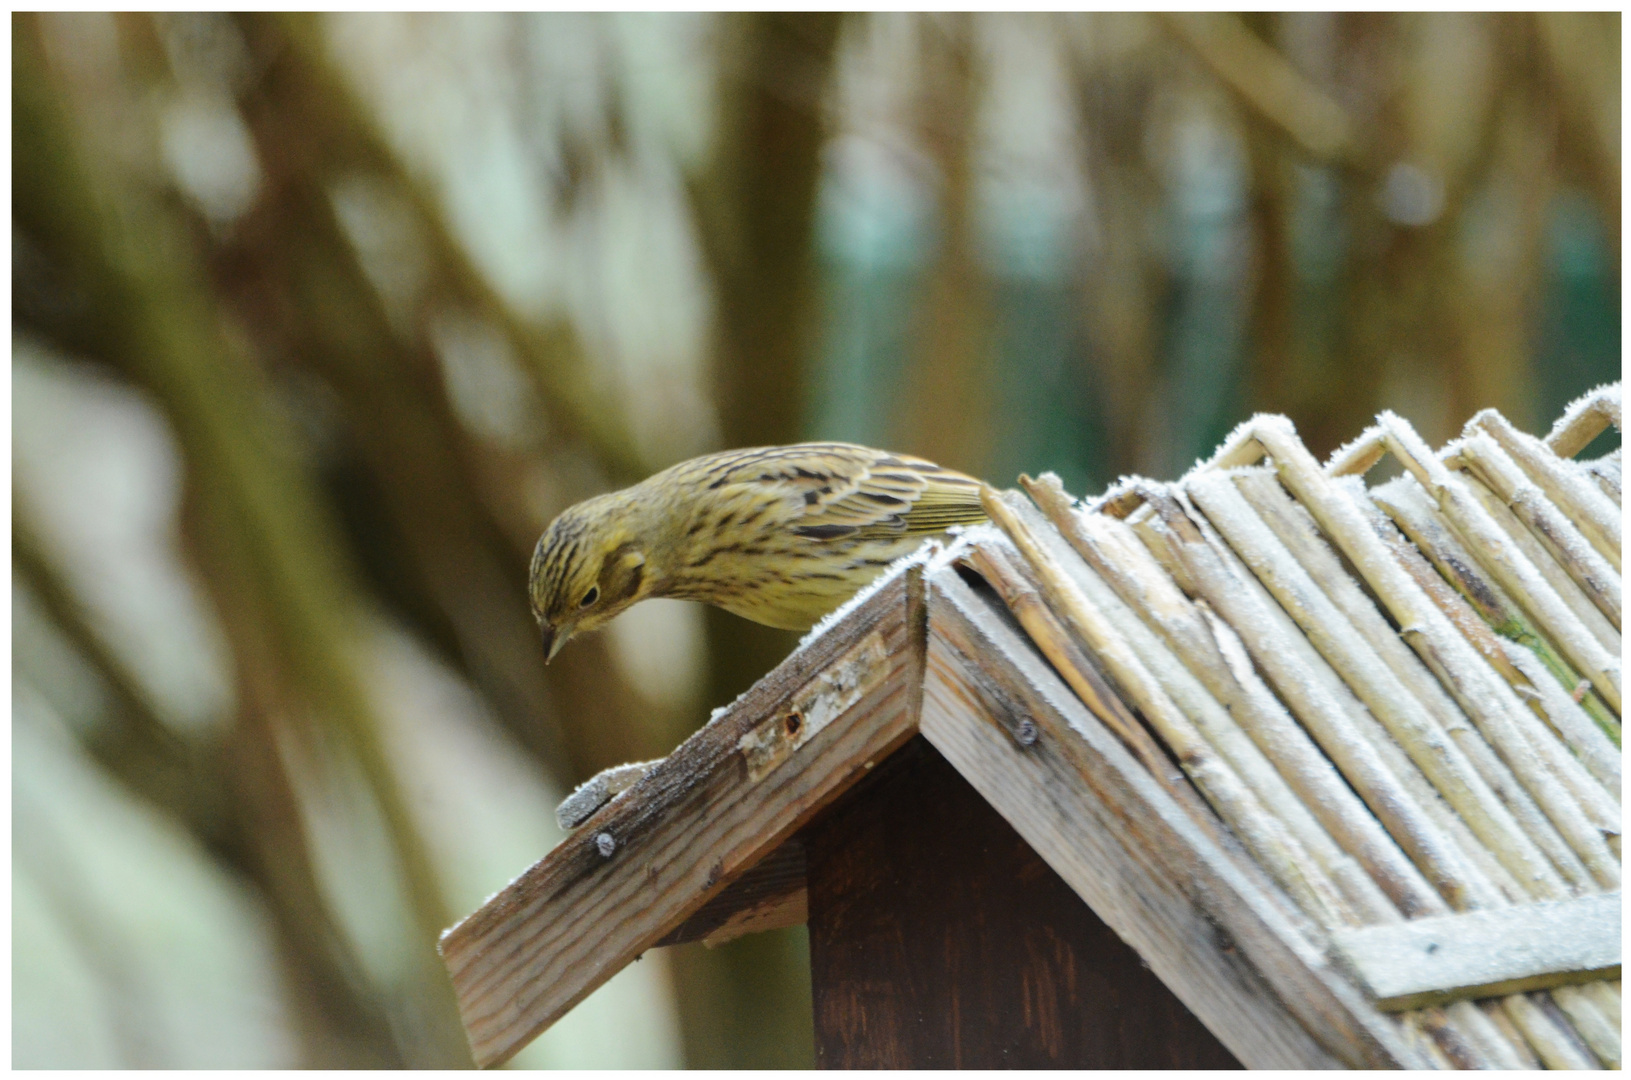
column 586, row 570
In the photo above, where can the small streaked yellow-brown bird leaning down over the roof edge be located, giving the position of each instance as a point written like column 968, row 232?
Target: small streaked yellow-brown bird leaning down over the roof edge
column 780, row 536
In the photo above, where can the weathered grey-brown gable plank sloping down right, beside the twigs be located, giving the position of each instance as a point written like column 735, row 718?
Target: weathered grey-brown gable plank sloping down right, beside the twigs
column 1208, row 921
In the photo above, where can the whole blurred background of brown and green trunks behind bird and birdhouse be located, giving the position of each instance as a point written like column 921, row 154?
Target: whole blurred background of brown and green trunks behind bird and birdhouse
column 317, row 322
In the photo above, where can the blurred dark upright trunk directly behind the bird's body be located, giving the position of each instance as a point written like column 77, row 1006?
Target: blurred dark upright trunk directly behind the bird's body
column 756, row 211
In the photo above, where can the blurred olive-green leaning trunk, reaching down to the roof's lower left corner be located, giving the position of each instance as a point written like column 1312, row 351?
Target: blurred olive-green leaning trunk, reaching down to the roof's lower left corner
column 128, row 254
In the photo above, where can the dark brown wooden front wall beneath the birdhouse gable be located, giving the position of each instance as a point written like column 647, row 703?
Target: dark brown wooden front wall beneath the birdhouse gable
column 940, row 941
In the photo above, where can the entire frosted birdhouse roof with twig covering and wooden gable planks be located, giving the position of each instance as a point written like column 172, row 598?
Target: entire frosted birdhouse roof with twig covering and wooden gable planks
column 1340, row 763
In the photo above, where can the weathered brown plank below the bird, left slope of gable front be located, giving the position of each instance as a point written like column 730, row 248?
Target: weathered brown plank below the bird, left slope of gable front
column 725, row 799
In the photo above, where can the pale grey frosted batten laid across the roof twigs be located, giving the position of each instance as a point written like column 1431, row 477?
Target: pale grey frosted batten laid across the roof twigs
column 1487, row 954
